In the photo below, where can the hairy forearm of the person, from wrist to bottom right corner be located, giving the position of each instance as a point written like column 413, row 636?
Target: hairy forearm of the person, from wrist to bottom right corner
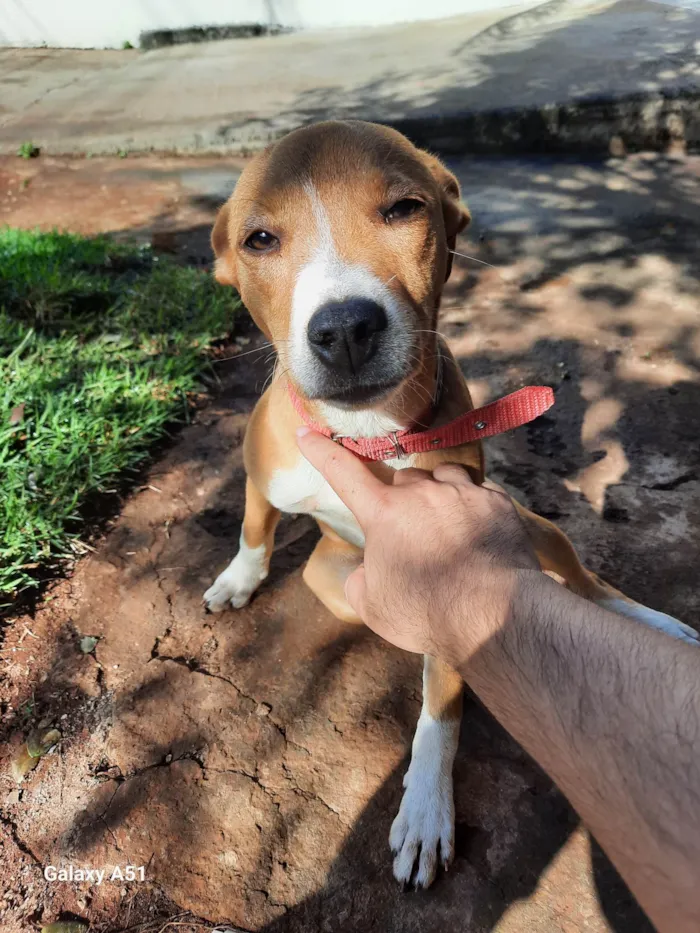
column 611, row 710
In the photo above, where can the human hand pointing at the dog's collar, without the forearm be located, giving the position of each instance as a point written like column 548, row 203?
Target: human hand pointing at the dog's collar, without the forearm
column 442, row 555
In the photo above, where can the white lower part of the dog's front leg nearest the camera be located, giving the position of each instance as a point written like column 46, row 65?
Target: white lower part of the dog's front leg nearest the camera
column 422, row 835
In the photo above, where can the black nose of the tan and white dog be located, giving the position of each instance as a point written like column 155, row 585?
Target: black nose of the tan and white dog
column 344, row 334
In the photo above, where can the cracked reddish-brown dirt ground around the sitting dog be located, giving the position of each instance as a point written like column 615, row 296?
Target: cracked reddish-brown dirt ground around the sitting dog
column 252, row 763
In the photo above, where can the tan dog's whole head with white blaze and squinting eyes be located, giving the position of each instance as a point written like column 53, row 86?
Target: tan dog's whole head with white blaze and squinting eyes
column 338, row 240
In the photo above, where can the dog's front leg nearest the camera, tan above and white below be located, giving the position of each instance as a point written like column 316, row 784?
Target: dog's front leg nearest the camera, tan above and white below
column 423, row 831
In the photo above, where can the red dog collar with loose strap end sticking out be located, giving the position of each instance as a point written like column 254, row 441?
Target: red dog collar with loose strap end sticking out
column 504, row 414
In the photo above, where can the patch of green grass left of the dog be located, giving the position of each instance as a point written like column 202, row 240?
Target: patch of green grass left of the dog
column 101, row 346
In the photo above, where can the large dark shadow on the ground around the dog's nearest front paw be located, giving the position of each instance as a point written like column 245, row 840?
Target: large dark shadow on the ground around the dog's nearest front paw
column 500, row 855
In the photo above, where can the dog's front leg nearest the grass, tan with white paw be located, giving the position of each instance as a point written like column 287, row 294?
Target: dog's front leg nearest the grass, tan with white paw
column 250, row 566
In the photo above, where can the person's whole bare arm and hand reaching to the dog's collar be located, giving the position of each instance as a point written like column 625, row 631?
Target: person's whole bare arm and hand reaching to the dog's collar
column 609, row 707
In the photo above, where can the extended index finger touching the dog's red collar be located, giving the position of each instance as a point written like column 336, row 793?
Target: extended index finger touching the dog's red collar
column 359, row 488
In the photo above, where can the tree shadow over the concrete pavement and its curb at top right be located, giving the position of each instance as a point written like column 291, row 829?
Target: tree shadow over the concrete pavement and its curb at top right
column 493, row 95
